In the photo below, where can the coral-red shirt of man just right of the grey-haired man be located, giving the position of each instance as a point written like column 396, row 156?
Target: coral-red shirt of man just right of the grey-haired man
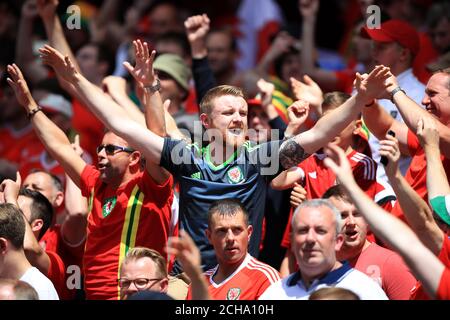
column 388, row 269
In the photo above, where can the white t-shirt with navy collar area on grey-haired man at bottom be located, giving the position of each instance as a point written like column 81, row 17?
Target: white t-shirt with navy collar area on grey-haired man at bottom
column 292, row 287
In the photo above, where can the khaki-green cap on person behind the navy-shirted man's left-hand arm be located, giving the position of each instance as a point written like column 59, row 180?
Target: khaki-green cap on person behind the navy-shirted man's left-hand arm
column 175, row 67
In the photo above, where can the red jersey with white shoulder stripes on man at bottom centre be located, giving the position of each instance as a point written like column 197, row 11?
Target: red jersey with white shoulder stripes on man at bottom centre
column 248, row 282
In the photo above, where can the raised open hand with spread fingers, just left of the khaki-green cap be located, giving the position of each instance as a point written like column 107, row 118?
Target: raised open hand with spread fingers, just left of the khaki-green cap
column 143, row 71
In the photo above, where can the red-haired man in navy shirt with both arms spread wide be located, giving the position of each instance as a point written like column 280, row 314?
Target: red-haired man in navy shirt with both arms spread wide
column 229, row 166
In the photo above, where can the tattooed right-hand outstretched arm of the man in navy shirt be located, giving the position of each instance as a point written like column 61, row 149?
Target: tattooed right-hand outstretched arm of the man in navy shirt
column 296, row 149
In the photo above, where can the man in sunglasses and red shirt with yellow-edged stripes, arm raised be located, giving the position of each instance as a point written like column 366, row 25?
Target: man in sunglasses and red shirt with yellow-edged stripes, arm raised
column 129, row 201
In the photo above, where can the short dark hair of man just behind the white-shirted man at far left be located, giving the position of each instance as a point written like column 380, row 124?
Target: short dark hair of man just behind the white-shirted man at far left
column 41, row 208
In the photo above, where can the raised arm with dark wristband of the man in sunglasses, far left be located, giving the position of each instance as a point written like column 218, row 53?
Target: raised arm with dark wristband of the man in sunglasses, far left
column 53, row 138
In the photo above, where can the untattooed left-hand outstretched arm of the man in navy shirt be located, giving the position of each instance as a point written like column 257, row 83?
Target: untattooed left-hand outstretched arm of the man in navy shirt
column 109, row 112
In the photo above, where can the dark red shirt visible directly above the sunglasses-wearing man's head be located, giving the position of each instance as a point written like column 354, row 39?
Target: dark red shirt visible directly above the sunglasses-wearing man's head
column 90, row 129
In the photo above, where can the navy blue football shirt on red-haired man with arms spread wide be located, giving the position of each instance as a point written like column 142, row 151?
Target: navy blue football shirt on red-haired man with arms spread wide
column 244, row 176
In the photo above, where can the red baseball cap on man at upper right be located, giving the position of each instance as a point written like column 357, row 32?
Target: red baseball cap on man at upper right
column 395, row 31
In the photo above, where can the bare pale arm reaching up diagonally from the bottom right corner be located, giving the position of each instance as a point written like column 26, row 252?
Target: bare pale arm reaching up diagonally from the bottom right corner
column 425, row 265
